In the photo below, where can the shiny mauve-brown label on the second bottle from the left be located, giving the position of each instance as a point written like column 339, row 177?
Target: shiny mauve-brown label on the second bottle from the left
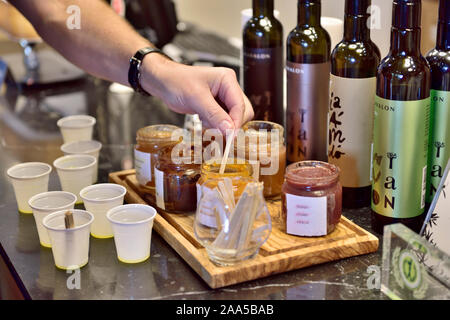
column 307, row 111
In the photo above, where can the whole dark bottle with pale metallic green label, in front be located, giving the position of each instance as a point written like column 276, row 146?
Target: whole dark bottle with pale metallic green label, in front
column 401, row 126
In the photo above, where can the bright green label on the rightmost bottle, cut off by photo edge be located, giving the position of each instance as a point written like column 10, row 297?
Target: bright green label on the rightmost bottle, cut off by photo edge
column 439, row 152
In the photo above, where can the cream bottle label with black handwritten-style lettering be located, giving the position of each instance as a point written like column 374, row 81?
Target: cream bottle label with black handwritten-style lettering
column 351, row 129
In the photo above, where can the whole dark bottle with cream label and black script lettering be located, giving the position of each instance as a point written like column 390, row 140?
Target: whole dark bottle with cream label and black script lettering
column 354, row 64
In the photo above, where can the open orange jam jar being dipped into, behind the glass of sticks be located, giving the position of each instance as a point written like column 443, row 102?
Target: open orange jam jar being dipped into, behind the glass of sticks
column 240, row 175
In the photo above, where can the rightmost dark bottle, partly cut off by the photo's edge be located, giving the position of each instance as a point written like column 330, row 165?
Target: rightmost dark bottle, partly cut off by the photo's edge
column 439, row 60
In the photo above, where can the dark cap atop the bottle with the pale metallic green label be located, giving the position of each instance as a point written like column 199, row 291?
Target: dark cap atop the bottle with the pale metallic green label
column 406, row 14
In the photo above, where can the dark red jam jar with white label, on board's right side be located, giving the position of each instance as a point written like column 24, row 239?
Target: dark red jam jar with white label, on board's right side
column 311, row 199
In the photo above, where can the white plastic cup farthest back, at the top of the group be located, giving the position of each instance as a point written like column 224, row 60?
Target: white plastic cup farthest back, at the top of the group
column 76, row 128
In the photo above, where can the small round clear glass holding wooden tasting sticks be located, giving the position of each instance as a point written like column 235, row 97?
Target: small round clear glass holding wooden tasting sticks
column 239, row 230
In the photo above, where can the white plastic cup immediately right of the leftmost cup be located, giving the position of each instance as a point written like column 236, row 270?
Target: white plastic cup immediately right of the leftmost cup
column 75, row 173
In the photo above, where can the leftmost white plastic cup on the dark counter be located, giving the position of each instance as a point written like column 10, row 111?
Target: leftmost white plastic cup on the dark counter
column 28, row 179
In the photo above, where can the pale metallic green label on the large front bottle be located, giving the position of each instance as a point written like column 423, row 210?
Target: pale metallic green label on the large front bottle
column 401, row 131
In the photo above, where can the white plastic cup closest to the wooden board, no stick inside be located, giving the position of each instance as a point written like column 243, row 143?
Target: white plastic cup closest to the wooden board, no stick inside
column 132, row 225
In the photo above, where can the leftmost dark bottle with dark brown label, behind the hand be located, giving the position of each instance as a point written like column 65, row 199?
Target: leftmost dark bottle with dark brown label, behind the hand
column 263, row 62
